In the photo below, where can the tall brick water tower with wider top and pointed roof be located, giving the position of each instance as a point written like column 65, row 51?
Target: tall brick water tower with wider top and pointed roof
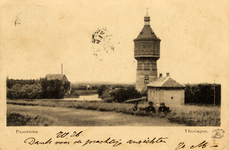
column 146, row 52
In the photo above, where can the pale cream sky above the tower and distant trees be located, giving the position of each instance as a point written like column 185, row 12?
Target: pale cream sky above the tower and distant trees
column 37, row 36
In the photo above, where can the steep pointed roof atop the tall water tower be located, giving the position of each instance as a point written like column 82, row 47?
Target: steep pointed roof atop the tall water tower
column 146, row 34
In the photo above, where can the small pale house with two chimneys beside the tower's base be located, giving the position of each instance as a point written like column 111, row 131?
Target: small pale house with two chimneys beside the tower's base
column 167, row 90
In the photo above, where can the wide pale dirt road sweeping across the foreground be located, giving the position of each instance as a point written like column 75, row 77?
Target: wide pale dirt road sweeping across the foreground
column 80, row 117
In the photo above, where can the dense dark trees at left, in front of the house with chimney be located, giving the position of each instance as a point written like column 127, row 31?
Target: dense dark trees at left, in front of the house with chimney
column 36, row 89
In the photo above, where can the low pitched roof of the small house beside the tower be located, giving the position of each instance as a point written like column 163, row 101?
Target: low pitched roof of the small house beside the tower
column 165, row 82
